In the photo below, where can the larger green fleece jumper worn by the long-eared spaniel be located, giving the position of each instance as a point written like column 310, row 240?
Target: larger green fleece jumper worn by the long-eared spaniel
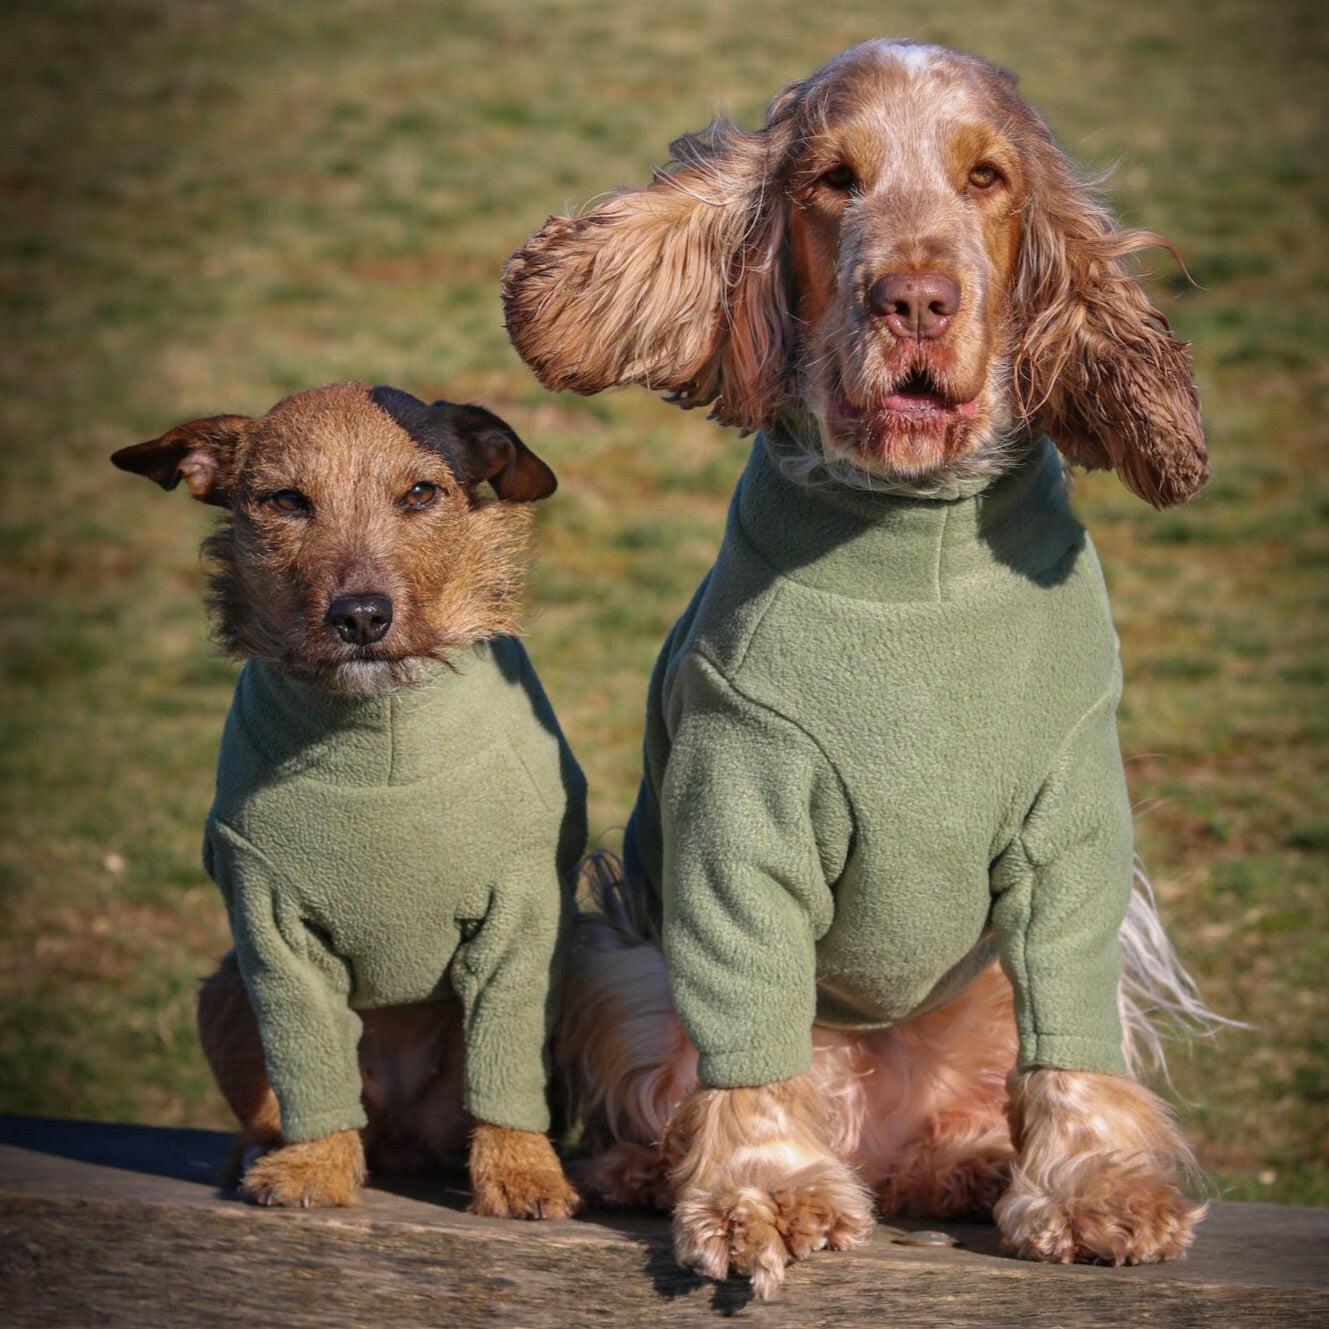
column 880, row 753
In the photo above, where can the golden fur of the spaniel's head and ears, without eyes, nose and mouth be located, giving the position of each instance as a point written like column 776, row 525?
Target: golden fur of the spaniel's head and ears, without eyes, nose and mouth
column 740, row 280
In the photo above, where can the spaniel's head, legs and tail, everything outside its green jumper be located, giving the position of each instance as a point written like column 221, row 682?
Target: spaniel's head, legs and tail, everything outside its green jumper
column 903, row 269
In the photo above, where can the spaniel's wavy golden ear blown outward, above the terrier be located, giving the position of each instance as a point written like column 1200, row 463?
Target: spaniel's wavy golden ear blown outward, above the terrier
column 677, row 286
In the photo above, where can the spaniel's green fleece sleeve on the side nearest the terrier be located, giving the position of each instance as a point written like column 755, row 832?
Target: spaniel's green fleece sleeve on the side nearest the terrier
column 753, row 822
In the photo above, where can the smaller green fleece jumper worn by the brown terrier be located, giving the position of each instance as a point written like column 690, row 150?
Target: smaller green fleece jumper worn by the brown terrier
column 402, row 849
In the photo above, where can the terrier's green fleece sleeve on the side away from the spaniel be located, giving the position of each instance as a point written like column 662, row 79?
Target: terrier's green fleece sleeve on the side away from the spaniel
column 300, row 992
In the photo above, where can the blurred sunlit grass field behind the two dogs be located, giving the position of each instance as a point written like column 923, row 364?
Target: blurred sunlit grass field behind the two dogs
column 209, row 205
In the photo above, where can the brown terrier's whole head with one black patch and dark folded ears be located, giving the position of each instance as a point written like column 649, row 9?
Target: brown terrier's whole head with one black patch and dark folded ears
column 358, row 550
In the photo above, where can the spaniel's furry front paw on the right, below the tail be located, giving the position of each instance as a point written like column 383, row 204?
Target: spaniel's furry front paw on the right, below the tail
column 1104, row 1211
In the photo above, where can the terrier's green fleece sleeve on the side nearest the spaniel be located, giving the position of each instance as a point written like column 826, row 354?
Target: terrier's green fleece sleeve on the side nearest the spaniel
column 507, row 975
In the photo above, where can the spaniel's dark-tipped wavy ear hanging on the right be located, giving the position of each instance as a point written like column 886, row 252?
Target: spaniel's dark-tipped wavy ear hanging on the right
column 1097, row 365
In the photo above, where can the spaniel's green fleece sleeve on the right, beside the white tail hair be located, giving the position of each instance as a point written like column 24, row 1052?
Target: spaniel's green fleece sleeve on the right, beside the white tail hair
column 1063, row 890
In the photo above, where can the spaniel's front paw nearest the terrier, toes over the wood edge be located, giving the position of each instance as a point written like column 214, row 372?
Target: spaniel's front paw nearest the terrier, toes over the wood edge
column 757, row 1233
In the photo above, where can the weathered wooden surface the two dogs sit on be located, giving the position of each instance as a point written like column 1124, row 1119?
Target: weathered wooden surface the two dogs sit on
column 124, row 1226
